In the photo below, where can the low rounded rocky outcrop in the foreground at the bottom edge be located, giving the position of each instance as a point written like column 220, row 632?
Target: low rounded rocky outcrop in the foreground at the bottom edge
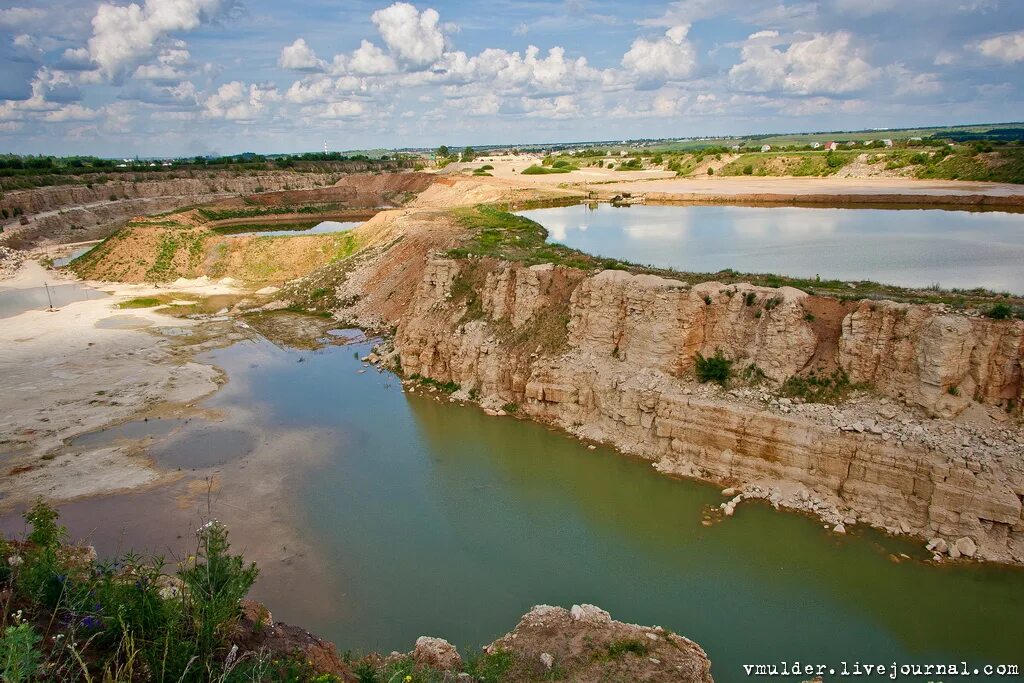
column 588, row 646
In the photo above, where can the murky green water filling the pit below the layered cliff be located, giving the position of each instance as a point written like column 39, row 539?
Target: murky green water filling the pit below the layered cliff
column 437, row 520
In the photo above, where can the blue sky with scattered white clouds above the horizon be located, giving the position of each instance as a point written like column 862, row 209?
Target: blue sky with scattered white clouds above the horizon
column 189, row 77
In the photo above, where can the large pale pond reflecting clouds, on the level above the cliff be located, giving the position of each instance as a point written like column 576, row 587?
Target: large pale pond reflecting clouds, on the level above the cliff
column 907, row 247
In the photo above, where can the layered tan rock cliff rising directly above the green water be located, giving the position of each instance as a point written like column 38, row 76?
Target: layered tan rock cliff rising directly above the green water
column 610, row 357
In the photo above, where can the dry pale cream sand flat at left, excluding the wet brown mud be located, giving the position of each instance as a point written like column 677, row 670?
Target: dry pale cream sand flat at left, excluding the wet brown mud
column 80, row 368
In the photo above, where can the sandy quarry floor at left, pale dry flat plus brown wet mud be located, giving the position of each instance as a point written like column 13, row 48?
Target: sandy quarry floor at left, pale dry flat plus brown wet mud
column 66, row 373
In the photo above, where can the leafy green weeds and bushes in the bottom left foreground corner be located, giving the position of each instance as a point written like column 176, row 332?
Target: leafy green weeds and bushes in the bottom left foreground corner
column 132, row 619
